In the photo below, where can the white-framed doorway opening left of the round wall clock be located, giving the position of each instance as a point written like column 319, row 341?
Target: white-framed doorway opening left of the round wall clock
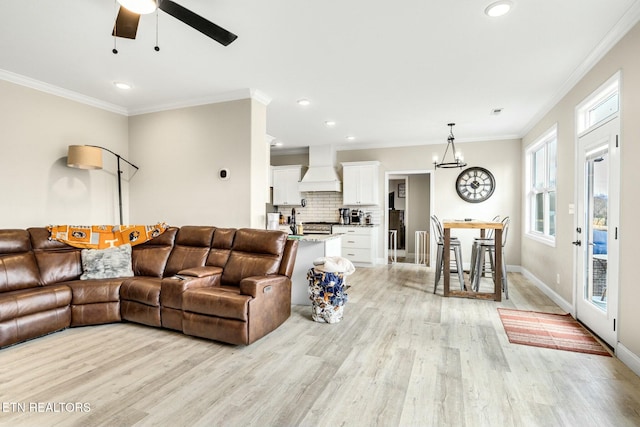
column 408, row 211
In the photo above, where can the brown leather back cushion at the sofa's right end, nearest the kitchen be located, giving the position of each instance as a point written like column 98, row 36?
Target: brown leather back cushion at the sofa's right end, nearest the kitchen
column 254, row 253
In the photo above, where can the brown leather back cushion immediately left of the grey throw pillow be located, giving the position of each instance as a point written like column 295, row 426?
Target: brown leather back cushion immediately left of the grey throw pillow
column 57, row 261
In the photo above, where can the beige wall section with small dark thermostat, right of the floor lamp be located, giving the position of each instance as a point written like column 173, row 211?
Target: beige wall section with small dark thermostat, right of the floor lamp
column 180, row 152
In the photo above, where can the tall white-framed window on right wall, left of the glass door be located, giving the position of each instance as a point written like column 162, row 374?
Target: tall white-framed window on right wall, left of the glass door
column 541, row 187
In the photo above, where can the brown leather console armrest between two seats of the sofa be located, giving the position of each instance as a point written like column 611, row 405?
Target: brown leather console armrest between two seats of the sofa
column 172, row 288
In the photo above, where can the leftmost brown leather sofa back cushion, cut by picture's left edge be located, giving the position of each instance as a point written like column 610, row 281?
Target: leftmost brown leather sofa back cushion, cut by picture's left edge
column 18, row 267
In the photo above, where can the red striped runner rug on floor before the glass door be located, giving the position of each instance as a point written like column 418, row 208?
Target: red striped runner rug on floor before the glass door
column 557, row 331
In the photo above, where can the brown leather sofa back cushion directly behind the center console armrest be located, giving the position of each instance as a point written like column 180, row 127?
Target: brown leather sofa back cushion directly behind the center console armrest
column 190, row 249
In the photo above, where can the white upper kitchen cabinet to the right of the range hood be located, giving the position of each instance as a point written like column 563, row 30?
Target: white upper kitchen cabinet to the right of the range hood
column 360, row 183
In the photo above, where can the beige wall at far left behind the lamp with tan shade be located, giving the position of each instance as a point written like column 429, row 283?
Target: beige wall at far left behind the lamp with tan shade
column 38, row 188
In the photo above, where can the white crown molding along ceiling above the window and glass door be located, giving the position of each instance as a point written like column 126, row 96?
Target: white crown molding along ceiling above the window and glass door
column 619, row 30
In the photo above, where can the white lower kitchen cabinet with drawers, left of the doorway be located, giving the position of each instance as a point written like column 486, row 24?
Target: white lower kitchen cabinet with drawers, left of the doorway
column 359, row 243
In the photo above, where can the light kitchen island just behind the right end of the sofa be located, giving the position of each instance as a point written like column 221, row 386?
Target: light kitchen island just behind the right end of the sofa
column 311, row 247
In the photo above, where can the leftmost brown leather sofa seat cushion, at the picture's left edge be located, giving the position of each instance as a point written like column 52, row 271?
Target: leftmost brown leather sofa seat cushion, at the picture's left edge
column 24, row 302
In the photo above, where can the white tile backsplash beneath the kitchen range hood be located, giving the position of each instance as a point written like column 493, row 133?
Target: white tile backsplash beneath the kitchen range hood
column 322, row 206
